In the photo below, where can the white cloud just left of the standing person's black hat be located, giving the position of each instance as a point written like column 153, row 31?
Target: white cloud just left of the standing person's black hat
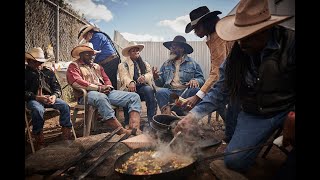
column 178, row 24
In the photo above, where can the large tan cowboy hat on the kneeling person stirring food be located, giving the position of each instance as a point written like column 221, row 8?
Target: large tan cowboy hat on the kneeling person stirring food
column 251, row 16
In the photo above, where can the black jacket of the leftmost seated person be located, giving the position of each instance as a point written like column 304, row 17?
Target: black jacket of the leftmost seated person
column 50, row 84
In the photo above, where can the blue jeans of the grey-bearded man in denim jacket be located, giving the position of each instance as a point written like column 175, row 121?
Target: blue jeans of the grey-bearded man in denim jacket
column 163, row 98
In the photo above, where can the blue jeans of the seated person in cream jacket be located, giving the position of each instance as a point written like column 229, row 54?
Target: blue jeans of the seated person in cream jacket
column 146, row 93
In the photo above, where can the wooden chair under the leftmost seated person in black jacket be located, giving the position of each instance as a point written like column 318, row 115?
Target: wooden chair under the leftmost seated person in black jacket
column 29, row 123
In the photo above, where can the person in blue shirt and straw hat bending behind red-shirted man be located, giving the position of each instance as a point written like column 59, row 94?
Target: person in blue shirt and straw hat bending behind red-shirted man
column 109, row 57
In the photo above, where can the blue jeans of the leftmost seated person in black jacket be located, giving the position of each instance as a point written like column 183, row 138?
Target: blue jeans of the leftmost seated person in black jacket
column 37, row 111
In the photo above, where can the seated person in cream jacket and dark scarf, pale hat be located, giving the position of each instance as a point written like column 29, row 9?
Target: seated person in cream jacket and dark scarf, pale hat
column 136, row 76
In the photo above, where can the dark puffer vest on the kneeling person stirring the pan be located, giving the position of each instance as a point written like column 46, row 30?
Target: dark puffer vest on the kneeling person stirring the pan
column 274, row 90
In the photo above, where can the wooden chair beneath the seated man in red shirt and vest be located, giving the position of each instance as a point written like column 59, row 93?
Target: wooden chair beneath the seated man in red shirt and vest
column 90, row 117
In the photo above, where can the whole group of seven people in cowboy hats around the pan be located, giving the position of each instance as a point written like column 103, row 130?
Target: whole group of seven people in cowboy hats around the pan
column 256, row 79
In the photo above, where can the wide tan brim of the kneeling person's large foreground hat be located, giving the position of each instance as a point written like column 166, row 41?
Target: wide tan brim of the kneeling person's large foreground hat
column 228, row 31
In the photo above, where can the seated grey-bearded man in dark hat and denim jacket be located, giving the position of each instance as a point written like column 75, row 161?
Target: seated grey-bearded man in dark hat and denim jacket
column 180, row 74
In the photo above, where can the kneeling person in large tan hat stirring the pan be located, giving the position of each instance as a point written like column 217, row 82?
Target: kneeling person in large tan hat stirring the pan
column 260, row 71
